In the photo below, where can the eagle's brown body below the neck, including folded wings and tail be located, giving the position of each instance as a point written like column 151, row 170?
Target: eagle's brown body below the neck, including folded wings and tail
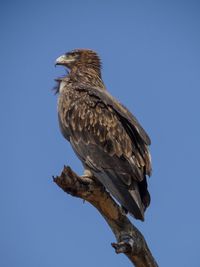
column 109, row 141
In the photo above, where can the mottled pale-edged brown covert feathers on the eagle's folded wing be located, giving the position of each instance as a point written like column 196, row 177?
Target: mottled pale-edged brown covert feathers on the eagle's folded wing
column 94, row 122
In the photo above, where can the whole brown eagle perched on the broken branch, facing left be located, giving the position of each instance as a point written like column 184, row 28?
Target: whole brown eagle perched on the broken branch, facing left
column 106, row 137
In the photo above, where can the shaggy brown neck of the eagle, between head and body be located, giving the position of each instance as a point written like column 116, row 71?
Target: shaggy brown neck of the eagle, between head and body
column 87, row 76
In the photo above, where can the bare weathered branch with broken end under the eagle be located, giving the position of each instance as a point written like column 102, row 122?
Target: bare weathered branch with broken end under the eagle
column 130, row 241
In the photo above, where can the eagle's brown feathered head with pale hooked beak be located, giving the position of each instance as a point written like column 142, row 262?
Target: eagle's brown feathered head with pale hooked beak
column 78, row 58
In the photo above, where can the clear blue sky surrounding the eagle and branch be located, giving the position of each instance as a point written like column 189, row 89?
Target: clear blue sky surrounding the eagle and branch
column 151, row 62
